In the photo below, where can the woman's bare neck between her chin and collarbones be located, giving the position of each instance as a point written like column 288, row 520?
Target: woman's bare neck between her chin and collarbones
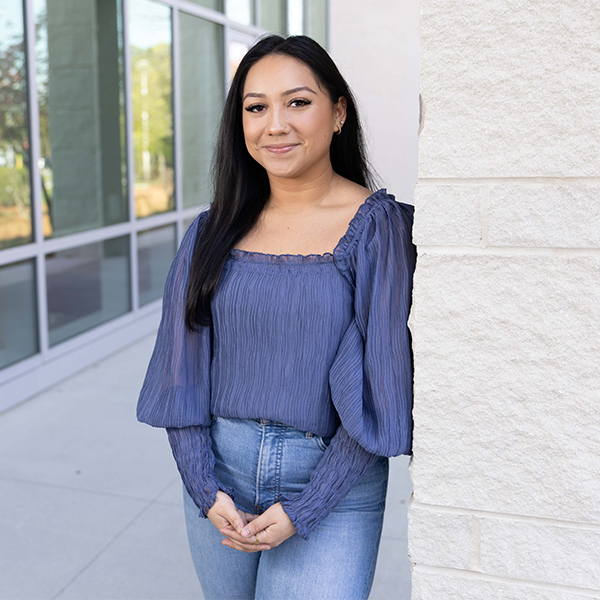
column 294, row 195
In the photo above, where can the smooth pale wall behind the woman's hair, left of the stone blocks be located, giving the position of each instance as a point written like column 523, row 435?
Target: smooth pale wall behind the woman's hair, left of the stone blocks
column 376, row 46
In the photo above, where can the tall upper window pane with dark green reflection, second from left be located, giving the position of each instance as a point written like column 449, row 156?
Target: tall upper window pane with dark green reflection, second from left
column 79, row 70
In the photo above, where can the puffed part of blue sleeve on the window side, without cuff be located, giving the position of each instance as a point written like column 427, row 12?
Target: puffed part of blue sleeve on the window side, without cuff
column 176, row 389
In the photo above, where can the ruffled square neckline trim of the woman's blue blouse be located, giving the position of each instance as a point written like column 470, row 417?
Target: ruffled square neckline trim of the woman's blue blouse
column 339, row 251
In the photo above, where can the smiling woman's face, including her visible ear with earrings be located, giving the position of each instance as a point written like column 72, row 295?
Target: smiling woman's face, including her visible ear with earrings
column 288, row 119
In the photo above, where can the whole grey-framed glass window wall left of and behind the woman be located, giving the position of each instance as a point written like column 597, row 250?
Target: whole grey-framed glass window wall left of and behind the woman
column 105, row 156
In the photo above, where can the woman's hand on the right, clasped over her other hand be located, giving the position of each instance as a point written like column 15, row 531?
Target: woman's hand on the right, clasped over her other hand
column 272, row 528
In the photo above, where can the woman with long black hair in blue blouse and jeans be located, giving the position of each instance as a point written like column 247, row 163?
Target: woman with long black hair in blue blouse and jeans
column 282, row 368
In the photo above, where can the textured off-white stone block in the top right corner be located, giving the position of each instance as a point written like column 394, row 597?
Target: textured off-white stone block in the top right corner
column 510, row 88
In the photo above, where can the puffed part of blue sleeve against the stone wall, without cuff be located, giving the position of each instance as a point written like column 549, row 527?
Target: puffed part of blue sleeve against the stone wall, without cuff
column 371, row 377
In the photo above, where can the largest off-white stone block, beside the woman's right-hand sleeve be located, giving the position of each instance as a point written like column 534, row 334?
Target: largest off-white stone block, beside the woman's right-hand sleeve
column 506, row 384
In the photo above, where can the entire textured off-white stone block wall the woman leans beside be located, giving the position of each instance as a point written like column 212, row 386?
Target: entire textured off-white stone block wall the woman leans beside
column 506, row 307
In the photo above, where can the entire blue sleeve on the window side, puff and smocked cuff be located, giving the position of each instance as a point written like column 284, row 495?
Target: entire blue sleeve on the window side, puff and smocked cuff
column 176, row 390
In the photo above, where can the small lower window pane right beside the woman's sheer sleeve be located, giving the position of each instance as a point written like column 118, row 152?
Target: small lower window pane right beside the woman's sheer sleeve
column 156, row 250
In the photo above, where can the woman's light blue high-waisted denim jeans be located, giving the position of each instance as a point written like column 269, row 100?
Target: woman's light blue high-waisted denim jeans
column 260, row 459
